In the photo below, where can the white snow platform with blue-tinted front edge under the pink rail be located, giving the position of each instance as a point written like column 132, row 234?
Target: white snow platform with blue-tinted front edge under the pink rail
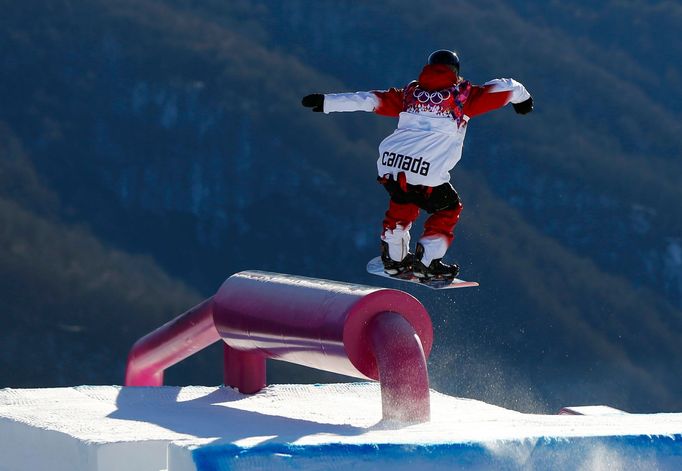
column 310, row 427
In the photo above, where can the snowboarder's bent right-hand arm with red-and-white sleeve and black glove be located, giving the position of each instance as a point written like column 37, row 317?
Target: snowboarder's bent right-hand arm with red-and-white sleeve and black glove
column 496, row 94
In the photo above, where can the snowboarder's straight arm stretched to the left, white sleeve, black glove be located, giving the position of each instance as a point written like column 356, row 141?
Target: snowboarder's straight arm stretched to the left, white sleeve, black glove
column 387, row 103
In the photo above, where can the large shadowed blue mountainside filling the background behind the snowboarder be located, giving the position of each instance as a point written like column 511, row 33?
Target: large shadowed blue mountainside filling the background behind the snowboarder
column 174, row 129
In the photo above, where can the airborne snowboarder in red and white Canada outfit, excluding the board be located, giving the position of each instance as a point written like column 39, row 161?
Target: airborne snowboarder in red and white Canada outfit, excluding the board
column 415, row 161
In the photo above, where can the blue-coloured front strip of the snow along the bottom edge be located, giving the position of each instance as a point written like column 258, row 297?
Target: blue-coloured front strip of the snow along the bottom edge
column 631, row 453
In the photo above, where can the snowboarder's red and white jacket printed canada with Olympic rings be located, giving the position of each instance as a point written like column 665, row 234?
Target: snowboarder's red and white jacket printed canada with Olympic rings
column 432, row 122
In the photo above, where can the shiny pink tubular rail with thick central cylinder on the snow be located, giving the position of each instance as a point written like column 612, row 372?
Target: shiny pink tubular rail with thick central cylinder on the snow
column 360, row 331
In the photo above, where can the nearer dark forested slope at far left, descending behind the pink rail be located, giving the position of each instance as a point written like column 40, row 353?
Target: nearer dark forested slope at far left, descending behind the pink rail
column 70, row 306
